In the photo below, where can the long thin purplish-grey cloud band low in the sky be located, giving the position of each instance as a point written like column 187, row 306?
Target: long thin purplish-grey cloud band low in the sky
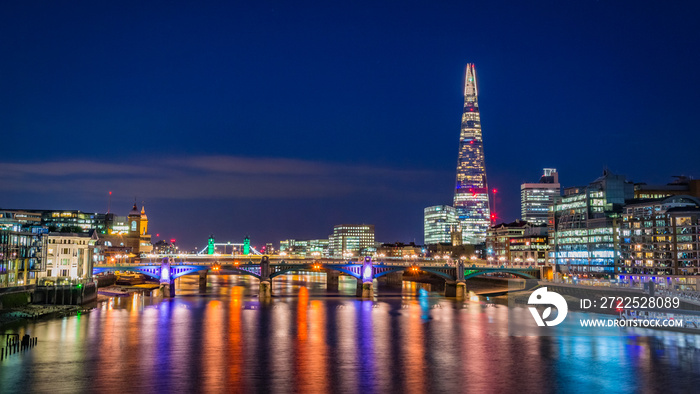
column 216, row 177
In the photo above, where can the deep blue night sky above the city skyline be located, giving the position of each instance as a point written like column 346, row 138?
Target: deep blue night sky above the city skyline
column 280, row 119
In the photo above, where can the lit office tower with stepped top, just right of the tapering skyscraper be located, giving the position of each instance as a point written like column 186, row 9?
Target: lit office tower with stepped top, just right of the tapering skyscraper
column 536, row 198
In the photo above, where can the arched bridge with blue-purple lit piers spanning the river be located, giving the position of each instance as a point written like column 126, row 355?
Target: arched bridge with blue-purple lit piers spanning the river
column 266, row 269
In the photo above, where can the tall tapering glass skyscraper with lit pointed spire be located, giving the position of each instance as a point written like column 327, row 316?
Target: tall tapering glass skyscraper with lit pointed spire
column 471, row 193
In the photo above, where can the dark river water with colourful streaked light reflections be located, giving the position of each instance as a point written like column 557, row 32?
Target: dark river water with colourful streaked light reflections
column 306, row 340
